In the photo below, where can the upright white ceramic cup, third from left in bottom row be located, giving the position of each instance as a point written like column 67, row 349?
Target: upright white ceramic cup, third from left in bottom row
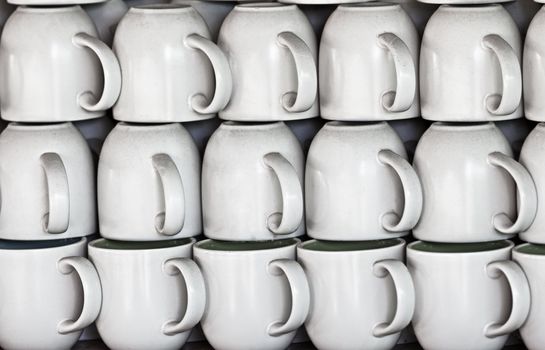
column 257, row 295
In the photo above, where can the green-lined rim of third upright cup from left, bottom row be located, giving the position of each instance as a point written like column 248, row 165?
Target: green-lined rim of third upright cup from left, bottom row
column 282, row 245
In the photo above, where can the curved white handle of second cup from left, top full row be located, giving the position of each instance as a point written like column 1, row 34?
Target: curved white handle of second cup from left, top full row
column 222, row 73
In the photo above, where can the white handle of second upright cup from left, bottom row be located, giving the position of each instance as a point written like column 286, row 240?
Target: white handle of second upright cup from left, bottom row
column 196, row 294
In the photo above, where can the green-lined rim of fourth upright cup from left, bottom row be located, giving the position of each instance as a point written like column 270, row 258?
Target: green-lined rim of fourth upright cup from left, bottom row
column 396, row 244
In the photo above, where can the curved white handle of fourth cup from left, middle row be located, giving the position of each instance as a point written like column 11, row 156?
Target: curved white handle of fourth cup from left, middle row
column 412, row 191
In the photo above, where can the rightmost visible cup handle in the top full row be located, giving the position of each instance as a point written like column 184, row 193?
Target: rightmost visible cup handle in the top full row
column 511, row 75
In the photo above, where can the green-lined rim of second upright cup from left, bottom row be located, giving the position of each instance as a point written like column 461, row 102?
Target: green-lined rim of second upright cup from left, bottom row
column 156, row 245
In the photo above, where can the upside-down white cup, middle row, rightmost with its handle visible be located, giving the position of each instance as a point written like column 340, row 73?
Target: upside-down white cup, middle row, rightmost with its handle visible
column 474, row 191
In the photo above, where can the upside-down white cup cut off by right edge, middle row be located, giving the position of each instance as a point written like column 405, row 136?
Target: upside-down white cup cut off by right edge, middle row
column 531, row 156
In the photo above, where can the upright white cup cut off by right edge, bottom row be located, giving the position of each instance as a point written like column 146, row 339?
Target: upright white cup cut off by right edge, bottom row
column 531, row 258
